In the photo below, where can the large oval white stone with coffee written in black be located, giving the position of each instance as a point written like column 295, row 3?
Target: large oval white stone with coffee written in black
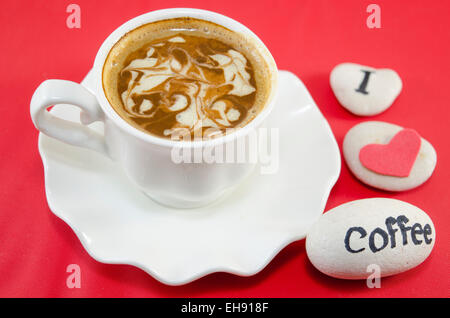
column 361, row 222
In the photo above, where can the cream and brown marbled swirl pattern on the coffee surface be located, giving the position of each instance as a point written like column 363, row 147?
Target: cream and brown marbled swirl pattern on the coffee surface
column 205, row 86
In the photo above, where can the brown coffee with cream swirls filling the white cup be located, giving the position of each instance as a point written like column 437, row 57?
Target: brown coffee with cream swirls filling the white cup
column 186, row 76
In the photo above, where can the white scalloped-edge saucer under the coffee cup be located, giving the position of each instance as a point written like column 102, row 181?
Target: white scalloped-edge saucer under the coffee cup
column 240, row 234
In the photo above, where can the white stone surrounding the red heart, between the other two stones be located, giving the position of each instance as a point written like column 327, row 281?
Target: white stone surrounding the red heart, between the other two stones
column 376, row 132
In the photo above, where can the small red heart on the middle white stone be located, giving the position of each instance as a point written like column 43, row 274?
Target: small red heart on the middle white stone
column 395, row 158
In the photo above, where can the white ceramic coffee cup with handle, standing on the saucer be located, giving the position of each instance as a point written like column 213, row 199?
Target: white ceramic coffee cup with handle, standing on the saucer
column 147, row 159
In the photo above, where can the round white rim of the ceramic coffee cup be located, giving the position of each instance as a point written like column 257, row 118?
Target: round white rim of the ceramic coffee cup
column 169, row 14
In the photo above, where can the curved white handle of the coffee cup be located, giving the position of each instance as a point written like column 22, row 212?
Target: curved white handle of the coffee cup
column 52, row 92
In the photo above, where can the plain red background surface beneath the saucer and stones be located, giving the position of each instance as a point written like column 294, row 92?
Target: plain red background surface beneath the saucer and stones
column 306, row 37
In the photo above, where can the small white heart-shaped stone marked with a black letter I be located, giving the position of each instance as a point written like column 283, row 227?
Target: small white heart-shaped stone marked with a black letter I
column 364, row 90
